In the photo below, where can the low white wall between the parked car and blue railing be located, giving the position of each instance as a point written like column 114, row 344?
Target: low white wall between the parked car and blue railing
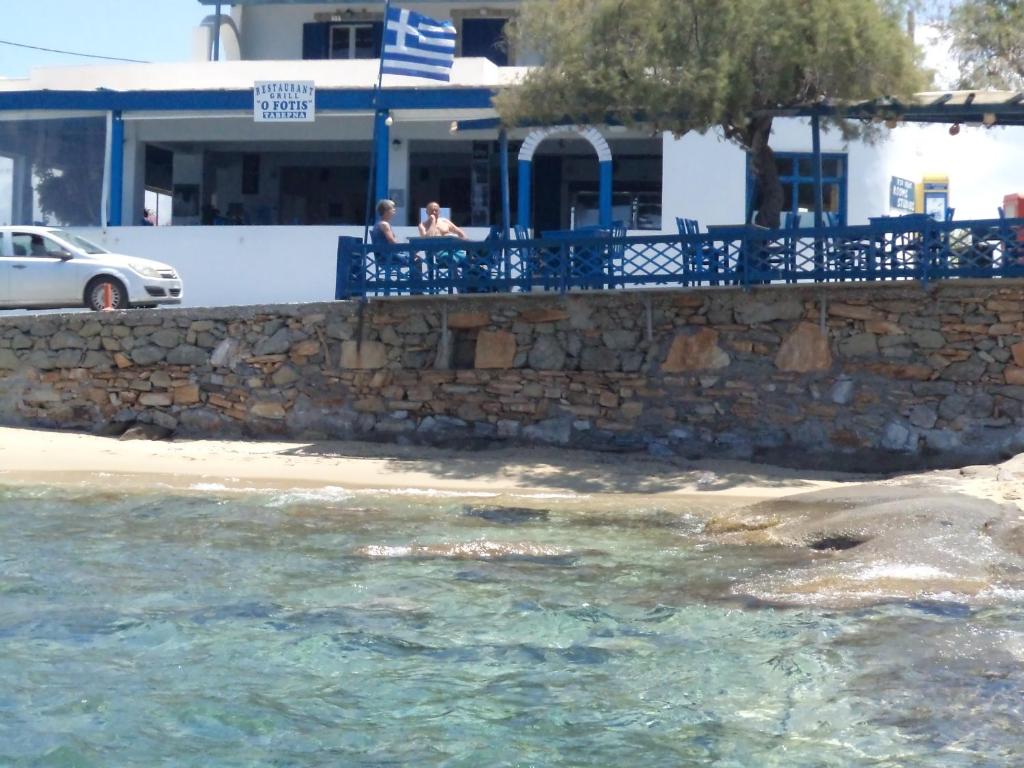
column 231, row 266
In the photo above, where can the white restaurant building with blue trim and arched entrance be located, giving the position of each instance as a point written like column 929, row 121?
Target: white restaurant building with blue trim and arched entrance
column 92, row 147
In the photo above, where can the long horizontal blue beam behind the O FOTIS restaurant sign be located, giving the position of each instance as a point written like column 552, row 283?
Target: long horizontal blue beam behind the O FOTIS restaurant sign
column 242, row 101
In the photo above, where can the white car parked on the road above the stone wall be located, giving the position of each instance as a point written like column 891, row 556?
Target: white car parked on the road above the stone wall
column 46, row 268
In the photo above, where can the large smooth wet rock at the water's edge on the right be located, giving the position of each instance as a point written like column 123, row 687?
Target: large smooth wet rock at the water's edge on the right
column 875, row 543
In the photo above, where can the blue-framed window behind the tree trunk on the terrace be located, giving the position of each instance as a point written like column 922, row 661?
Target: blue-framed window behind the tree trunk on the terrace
column 796, row 174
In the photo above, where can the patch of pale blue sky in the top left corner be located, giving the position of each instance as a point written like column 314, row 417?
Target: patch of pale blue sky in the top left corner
column 146, row 30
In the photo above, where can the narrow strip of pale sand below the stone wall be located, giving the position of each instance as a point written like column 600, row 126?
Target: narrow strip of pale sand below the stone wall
column 30, row 456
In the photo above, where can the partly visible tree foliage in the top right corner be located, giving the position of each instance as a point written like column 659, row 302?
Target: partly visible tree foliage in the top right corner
column 988, row 38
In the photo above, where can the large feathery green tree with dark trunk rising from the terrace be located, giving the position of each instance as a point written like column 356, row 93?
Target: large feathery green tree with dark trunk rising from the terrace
column 694, row 65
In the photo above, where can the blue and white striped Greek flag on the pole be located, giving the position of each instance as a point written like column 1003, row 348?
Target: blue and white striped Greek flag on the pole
column 417, row 47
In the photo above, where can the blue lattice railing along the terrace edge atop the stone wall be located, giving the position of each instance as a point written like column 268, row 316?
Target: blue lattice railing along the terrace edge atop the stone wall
column 900, row 248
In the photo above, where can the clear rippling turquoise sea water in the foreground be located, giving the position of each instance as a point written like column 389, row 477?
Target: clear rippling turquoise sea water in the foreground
column 263, row 629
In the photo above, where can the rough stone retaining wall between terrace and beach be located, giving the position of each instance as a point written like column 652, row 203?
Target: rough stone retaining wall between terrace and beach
column 846, row 375
